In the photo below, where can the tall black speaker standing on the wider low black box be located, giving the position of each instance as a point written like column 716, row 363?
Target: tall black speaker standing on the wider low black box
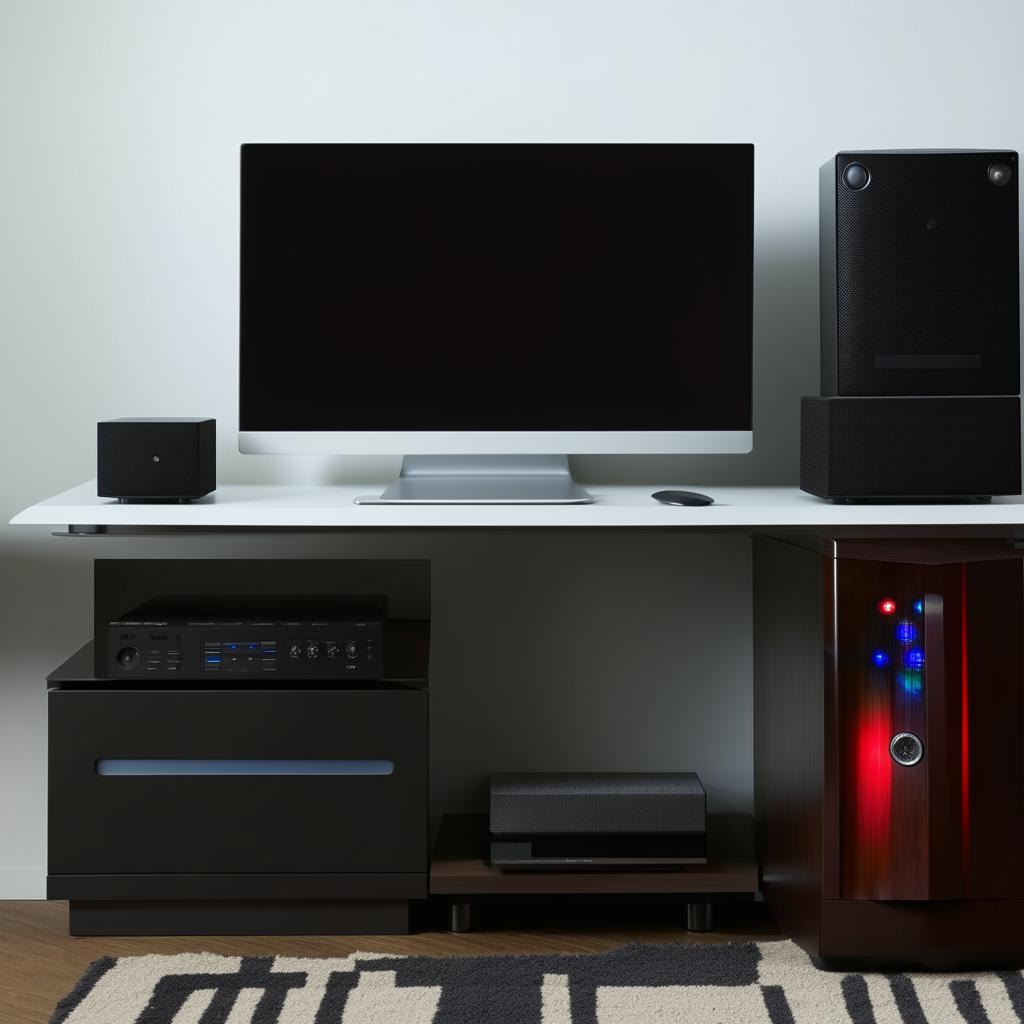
column 919, row 276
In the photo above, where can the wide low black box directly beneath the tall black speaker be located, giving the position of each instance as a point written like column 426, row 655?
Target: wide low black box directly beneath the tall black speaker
column 918, row 449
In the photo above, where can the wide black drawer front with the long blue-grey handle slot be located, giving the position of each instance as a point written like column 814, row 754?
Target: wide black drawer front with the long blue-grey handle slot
column 270, row 782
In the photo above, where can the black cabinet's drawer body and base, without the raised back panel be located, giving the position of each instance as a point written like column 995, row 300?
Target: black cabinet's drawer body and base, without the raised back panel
column 252, row 812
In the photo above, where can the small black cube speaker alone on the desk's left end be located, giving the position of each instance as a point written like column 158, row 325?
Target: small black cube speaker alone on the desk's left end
column 169, row 460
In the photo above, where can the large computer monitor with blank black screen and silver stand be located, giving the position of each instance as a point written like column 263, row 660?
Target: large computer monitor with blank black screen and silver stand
column 498, row 306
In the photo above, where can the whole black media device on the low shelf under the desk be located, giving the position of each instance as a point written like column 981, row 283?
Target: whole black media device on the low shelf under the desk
column 598, row 821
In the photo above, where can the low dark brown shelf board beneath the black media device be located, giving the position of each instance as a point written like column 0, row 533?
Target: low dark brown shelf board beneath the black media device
column 460, row 868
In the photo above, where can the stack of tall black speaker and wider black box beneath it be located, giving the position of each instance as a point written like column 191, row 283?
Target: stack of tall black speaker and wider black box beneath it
column 920, row 301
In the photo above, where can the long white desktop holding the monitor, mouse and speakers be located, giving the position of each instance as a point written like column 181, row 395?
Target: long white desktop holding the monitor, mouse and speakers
column 271, row 507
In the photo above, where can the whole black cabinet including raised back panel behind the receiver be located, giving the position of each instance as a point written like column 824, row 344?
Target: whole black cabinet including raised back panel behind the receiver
column 244, row 805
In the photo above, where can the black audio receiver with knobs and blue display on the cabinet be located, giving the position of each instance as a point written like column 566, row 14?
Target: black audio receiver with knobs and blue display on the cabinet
column 155, row 643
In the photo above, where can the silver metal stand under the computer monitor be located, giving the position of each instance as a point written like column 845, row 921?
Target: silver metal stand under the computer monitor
column 477, row 480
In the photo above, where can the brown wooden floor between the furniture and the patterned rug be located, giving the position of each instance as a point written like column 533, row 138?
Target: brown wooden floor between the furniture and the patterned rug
column 39, row 963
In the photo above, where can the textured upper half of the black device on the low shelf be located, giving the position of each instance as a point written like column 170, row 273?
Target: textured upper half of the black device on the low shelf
column 567, row 804
